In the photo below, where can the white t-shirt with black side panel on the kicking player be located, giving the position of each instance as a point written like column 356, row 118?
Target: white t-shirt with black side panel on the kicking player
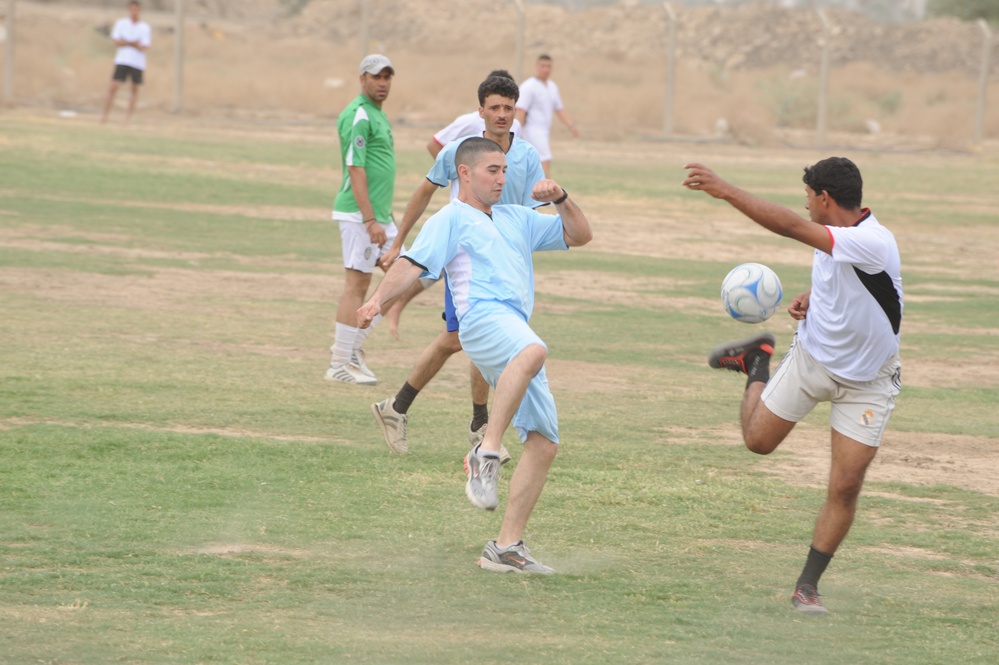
column 855, row 310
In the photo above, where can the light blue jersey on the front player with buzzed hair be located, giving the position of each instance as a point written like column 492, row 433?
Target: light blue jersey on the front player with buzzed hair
column 487, row 259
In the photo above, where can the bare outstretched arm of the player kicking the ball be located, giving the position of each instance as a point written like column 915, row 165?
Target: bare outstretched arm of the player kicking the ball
column 771, row 216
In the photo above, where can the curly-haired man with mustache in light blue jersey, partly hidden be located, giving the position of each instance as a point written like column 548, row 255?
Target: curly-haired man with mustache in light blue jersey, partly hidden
column 497, row 97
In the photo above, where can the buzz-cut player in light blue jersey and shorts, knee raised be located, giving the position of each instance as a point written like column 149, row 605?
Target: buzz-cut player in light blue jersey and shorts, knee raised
column 485, row 250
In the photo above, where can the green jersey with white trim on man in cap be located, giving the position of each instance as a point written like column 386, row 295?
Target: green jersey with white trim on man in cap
column 366, row 141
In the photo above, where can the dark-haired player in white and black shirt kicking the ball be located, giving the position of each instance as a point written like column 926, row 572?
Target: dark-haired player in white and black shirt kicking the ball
column 845, row 351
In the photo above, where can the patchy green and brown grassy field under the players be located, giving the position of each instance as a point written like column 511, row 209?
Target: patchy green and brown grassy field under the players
column 179, row 485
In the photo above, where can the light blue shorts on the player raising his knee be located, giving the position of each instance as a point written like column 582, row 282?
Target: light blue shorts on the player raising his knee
column 492, row 335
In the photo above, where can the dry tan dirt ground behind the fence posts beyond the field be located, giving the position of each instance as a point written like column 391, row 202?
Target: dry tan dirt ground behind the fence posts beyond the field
column 747, row 75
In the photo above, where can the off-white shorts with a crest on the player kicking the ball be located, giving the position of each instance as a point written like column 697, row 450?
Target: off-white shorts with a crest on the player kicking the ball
column 860, row 409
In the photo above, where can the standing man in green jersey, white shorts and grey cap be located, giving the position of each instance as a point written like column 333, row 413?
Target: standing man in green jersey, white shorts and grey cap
column 363, row 209
